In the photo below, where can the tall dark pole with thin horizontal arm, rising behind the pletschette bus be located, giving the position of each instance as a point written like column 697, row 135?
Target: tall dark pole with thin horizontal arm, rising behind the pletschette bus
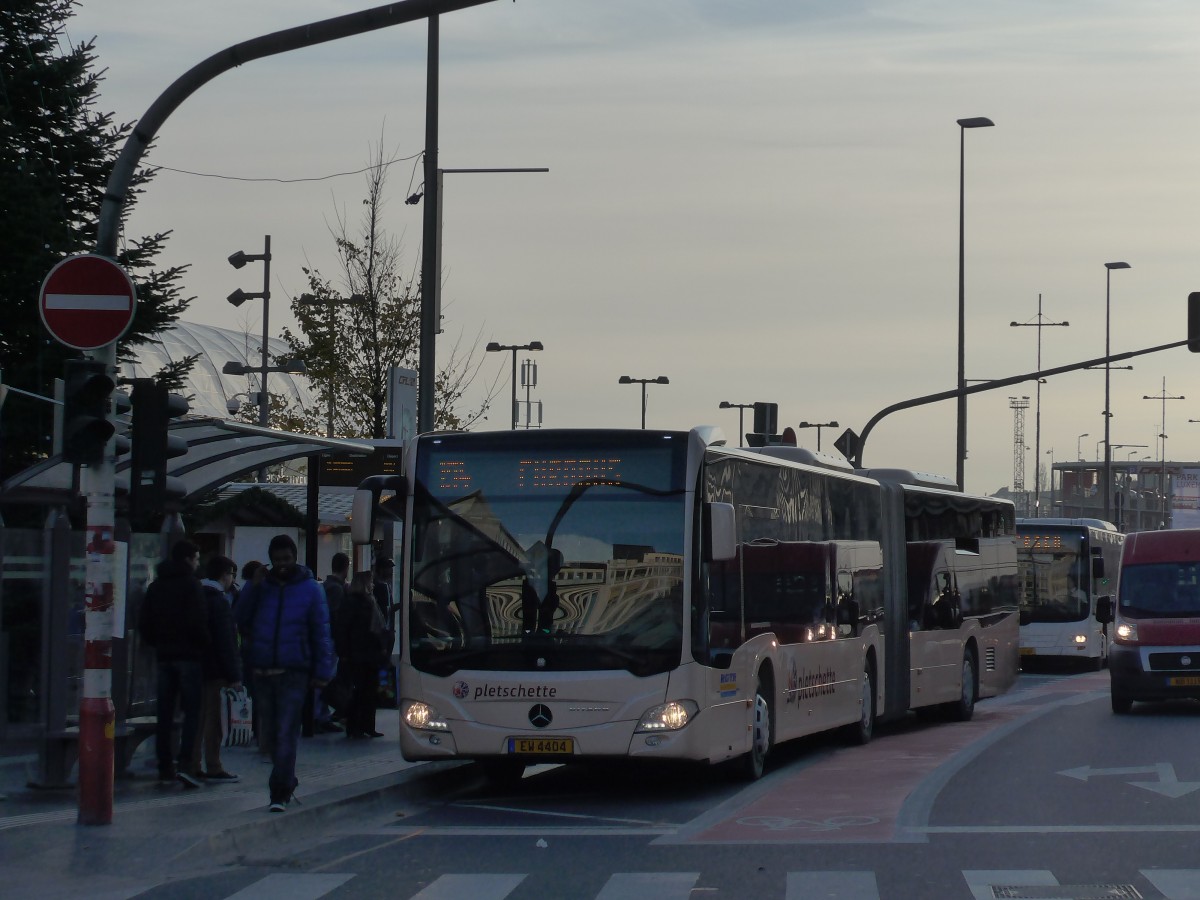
column 431, row 242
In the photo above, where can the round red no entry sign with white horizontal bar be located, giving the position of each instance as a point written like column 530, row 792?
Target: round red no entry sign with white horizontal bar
column 87, row 302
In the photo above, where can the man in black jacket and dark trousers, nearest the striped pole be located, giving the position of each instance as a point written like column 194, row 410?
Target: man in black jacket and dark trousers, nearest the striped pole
column 175, row 622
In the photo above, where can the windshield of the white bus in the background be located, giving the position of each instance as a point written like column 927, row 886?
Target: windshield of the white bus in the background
column 1054, row 578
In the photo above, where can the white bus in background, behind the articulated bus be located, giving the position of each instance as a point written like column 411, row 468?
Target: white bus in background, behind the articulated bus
column 1067, row 566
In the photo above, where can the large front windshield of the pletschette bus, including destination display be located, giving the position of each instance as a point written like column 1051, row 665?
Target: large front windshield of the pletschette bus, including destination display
column 563, row 559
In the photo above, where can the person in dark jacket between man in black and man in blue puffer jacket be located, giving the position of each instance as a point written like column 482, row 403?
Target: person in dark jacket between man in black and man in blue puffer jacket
column 221, row 668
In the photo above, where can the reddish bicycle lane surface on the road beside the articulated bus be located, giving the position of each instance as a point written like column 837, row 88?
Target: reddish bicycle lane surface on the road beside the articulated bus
column 860, row 795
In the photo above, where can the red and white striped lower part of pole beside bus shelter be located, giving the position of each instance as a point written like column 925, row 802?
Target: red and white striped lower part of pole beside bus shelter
column 98, row 717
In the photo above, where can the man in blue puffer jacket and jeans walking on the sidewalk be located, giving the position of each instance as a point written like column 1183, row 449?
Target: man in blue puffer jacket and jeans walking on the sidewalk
column 285, row 622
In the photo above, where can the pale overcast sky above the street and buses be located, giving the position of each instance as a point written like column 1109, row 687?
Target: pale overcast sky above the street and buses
column 758, row 200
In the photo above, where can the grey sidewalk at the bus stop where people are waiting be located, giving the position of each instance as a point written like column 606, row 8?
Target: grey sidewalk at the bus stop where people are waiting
column 160, row 833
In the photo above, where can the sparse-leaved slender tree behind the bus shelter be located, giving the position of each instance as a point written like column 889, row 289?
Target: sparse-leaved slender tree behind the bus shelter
column 368, row 322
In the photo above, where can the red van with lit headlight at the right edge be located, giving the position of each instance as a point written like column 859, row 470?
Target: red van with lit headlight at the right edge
column 1156, row 640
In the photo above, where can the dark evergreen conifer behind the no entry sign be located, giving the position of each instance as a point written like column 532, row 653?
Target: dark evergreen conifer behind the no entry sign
column 57, row 152
